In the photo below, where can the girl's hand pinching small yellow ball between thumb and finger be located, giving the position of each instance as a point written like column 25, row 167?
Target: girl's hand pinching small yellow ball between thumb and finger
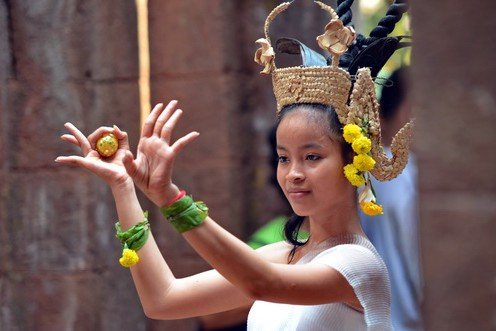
column 111, row 169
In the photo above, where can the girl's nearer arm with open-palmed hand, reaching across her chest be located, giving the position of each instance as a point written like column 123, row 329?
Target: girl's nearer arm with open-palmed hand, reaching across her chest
column 243, row 267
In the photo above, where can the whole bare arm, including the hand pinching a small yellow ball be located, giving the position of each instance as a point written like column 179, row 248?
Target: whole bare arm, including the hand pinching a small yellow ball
column 161, row 294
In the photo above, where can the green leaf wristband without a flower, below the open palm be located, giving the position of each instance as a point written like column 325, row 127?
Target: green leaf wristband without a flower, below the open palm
column 185, row 214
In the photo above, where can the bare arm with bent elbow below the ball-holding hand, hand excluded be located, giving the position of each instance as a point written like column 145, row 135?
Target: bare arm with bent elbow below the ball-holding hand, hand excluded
column 162, row 295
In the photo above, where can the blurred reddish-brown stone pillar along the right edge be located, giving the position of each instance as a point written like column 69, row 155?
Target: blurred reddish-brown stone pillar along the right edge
column 453, row 73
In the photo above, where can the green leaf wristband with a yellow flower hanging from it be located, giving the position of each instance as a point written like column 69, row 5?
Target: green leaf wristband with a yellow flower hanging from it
column 132, row 240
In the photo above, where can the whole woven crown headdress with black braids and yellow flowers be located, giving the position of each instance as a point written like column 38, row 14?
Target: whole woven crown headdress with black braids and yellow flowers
column 330, row 82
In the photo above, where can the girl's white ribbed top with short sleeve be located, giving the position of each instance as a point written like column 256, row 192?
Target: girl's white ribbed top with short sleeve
column 358, row 261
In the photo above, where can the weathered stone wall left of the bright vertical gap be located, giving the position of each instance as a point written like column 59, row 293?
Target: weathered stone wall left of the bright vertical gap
column 62, row 61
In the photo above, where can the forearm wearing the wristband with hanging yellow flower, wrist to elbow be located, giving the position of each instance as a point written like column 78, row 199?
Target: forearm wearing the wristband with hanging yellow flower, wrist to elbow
column 151, row 275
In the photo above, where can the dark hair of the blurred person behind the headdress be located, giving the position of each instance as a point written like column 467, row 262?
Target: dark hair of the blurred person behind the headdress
column 395, row 93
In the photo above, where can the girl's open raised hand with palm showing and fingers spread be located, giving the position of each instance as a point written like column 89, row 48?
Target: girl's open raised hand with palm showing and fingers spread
column 152, row 168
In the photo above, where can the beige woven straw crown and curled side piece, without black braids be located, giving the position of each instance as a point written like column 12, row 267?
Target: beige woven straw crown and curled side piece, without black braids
column 331, row 85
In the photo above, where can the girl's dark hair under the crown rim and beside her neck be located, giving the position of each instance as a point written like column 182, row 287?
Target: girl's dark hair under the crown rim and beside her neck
column 294, row 223
